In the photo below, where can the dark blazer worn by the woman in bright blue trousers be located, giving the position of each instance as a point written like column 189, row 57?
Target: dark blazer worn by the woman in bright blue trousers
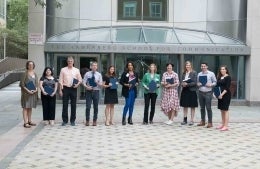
column 125, row 80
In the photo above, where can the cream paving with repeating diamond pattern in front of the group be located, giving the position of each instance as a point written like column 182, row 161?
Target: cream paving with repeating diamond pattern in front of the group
column 142, row 146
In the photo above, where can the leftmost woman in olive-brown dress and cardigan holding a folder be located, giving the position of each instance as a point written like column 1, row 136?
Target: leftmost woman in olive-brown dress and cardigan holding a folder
column 29, row 93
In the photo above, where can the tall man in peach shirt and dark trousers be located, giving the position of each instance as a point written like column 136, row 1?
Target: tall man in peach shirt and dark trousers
column 69, row 81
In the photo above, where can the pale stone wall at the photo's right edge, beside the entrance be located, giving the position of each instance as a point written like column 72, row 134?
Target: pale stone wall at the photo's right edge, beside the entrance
column 253, row 40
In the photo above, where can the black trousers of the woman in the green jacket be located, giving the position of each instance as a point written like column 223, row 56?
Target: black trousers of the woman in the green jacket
column 147, row 98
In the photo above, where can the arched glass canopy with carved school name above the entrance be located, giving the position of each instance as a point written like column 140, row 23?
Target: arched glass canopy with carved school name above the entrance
column 136, row 39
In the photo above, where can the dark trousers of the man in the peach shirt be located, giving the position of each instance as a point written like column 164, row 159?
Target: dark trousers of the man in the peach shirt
column 69, row 93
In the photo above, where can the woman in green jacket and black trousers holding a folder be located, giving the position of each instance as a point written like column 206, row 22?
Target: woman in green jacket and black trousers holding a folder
column 151, row 83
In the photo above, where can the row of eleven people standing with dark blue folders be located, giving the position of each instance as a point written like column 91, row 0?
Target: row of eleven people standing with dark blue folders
column 193, row 86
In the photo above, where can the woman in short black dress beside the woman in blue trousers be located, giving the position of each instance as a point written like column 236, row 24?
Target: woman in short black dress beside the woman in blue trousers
column 110, row 84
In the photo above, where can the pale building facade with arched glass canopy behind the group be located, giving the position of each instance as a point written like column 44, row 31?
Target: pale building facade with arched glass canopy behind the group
column 113, row 32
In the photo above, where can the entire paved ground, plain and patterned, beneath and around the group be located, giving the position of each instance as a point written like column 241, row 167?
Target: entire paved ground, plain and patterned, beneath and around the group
column 137, row 146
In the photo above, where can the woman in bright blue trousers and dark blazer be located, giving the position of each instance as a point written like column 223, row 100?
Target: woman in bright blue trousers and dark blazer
column 129, row 80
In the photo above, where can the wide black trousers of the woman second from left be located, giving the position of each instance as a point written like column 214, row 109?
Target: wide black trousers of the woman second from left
column 48, row 107
